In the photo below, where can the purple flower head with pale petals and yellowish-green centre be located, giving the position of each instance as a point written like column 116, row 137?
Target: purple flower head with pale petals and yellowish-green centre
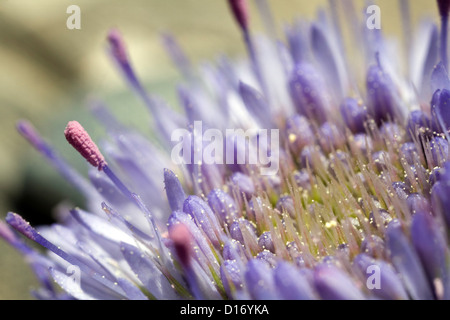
column 359, row 207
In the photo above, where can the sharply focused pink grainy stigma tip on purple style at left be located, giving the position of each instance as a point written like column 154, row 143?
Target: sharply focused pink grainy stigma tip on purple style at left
column 82, row 142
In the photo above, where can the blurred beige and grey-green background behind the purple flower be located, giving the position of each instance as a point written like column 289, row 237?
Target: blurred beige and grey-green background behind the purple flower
column 47, row 71
